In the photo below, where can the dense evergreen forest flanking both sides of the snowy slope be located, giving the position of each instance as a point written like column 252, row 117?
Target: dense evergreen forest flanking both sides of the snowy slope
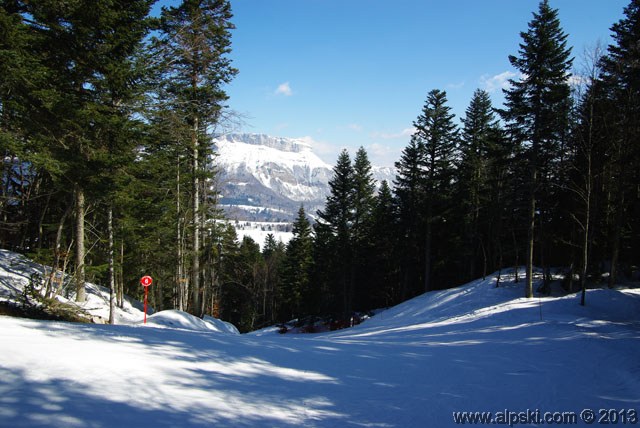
column 106, row 114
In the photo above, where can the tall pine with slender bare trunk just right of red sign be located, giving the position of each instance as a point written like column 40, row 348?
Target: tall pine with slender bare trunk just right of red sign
column 194, row 44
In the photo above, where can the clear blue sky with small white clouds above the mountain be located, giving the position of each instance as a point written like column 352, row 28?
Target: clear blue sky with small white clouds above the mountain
column 351, row 73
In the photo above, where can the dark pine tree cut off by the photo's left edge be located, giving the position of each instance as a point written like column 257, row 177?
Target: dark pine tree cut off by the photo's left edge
column 21, row 74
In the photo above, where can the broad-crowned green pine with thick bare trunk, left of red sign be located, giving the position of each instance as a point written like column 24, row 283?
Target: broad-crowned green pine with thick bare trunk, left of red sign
column 79, row 111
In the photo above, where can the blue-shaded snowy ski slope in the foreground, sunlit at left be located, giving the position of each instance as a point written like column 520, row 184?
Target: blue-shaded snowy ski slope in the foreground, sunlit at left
column 473, row 348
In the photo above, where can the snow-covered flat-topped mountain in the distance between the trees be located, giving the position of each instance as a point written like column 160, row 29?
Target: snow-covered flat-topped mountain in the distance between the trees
column 268, row 178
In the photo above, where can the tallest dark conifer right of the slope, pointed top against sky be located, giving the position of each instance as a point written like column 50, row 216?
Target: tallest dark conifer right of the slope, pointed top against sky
column 537, row 108
